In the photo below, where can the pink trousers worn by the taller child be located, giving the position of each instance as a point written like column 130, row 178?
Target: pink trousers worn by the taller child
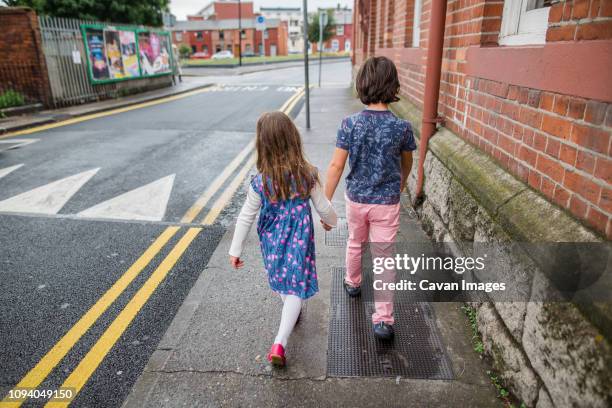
column 377, row 223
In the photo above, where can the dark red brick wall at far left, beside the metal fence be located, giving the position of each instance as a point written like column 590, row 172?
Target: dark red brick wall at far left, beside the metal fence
column 22, row 65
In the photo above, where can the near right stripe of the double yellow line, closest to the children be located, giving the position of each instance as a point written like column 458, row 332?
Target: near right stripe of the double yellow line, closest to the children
column 88, row 365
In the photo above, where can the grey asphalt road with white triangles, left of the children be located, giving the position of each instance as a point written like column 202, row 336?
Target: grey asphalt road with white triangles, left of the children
column 83, row 202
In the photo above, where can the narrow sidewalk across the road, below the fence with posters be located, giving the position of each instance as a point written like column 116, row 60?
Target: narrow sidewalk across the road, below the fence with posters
column 16, row 123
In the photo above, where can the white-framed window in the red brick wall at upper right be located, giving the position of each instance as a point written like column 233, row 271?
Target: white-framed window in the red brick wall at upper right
column 524, row 22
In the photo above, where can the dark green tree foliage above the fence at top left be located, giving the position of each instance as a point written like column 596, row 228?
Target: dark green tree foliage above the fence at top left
column 146, row 12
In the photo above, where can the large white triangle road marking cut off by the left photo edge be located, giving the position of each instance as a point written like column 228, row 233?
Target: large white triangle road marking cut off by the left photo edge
column 47, row 199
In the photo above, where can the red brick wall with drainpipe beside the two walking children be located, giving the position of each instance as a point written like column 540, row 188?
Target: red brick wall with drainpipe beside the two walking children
column 553, row 133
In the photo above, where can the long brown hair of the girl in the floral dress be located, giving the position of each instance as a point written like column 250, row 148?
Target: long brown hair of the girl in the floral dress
column 280, row 158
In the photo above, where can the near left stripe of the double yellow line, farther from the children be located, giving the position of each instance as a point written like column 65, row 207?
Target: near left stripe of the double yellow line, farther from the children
column 53, row 357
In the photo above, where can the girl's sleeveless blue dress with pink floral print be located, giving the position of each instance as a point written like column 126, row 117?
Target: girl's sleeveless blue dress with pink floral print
column 286, row 237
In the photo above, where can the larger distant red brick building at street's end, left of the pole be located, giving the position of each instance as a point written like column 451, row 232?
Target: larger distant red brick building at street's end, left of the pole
column 215, row 28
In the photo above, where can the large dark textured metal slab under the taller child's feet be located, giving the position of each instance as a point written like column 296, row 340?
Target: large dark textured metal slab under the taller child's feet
column 353, row 351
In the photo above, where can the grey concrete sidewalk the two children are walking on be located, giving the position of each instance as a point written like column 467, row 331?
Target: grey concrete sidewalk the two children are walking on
column 213, row 353
